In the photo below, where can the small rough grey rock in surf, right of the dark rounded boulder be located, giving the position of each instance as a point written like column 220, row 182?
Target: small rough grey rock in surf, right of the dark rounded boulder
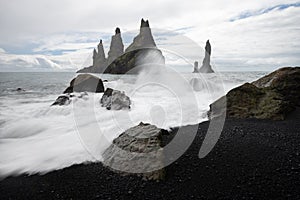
column 115, row 100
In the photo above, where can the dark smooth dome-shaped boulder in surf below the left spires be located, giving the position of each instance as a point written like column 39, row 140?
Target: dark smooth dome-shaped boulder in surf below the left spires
column 85, row 83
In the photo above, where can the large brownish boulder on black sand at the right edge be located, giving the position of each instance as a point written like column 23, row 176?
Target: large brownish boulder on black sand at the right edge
column 271, row 97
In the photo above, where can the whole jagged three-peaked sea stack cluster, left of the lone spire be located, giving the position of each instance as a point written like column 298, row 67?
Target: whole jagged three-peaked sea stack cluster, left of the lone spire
column 142, row 51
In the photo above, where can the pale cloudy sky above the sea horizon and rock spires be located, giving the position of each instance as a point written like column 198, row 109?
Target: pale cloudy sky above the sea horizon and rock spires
column 59, row 35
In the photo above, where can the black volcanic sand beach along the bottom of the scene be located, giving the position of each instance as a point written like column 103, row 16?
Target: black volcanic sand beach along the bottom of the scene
column 253, row 159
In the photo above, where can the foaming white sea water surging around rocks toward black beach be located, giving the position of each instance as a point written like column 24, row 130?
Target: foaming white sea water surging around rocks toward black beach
column 38, row 138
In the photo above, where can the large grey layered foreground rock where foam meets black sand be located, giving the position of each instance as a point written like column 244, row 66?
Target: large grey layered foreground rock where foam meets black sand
column 137, row 149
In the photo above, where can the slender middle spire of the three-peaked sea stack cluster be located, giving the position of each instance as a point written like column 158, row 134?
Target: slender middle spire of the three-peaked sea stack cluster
column 116, row 46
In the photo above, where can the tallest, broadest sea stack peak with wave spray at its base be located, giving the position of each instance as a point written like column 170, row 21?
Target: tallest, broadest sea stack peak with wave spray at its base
column 142, row 51
